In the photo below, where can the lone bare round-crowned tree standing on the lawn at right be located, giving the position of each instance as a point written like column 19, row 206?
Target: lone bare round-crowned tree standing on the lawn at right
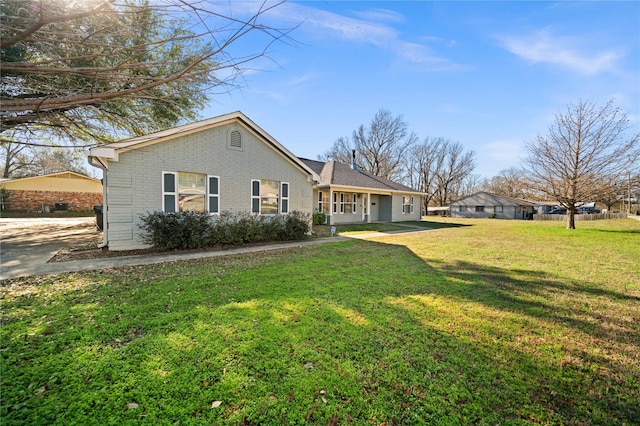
column 585, row 146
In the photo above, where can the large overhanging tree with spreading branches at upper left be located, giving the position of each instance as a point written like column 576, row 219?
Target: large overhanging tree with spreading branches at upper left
column 98, row 70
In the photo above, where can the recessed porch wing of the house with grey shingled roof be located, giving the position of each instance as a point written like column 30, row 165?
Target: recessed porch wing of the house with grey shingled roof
column 348, row 195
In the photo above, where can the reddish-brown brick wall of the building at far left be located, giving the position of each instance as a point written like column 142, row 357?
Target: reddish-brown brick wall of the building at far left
column 35, row 200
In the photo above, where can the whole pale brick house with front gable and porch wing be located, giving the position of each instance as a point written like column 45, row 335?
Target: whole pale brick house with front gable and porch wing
column 228, row 163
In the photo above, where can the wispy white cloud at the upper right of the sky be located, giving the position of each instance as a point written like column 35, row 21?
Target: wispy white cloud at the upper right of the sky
column 544, row 47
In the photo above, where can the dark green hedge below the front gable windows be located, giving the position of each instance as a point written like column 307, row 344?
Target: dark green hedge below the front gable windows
column 192, row 230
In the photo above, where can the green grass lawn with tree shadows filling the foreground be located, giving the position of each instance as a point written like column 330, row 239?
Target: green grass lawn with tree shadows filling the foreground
column 472, row 322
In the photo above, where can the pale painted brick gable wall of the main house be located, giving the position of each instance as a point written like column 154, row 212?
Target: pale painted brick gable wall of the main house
column 135, row 181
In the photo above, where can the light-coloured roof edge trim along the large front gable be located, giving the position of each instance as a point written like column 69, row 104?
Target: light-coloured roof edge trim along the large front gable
column 102, row 154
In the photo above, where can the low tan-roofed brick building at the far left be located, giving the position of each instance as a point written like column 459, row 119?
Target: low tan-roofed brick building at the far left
column 62, row 191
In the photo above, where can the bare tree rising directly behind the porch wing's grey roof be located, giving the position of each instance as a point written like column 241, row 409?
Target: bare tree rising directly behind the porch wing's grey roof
column 381, row 147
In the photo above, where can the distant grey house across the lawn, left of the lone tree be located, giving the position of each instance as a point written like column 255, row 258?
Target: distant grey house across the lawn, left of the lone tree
column 485, row 204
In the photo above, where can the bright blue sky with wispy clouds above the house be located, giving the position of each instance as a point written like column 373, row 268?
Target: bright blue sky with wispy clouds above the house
column 490, row 75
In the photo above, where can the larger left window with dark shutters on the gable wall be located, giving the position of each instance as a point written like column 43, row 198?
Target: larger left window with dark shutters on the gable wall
column 188, row 191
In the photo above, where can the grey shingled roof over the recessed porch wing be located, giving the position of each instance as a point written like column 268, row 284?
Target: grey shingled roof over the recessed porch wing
column 333, row 173
